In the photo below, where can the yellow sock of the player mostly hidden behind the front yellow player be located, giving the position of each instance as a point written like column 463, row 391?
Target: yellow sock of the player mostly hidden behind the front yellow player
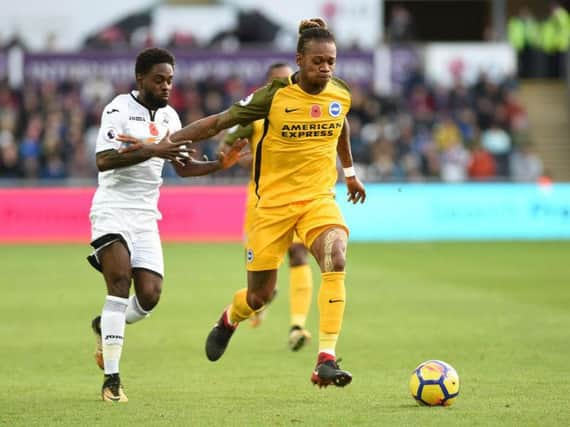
column 300, row 293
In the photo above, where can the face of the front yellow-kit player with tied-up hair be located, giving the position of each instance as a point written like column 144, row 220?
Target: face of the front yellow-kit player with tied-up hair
column 316, row 64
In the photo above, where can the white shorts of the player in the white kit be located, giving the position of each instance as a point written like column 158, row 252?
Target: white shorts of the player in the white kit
column 138, row 229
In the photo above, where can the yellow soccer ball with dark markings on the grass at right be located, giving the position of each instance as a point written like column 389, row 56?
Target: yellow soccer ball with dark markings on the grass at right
column 434, row 383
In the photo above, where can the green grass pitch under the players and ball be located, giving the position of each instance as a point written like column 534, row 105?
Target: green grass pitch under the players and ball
column 498, row 312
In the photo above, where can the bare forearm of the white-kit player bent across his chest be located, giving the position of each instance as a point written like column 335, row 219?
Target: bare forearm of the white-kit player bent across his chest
column 139, row 152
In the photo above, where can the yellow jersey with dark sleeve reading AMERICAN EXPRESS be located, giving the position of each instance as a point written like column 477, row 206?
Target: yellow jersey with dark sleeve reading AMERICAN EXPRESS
column 294, row 159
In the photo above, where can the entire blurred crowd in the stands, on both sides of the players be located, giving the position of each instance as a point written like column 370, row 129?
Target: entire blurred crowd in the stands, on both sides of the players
column 428, row 133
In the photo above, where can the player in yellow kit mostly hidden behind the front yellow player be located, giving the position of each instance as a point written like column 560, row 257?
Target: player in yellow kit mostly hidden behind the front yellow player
column 300, row 276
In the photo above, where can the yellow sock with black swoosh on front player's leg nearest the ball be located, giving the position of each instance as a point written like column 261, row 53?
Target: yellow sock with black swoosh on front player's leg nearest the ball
column 332, row 297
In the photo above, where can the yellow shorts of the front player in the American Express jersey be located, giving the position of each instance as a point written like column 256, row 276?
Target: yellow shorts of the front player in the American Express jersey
column 270, row 230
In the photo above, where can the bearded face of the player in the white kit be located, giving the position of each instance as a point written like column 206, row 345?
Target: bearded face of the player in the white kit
column 156, row 85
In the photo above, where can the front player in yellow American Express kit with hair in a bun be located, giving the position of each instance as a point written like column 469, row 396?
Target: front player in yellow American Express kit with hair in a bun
column 294, row 172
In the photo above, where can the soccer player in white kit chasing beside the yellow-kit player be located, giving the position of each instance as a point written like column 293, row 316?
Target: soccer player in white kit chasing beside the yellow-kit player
column 124, row 212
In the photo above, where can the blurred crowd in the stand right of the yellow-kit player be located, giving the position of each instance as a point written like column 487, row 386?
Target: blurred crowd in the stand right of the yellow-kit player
column 452, row 134
